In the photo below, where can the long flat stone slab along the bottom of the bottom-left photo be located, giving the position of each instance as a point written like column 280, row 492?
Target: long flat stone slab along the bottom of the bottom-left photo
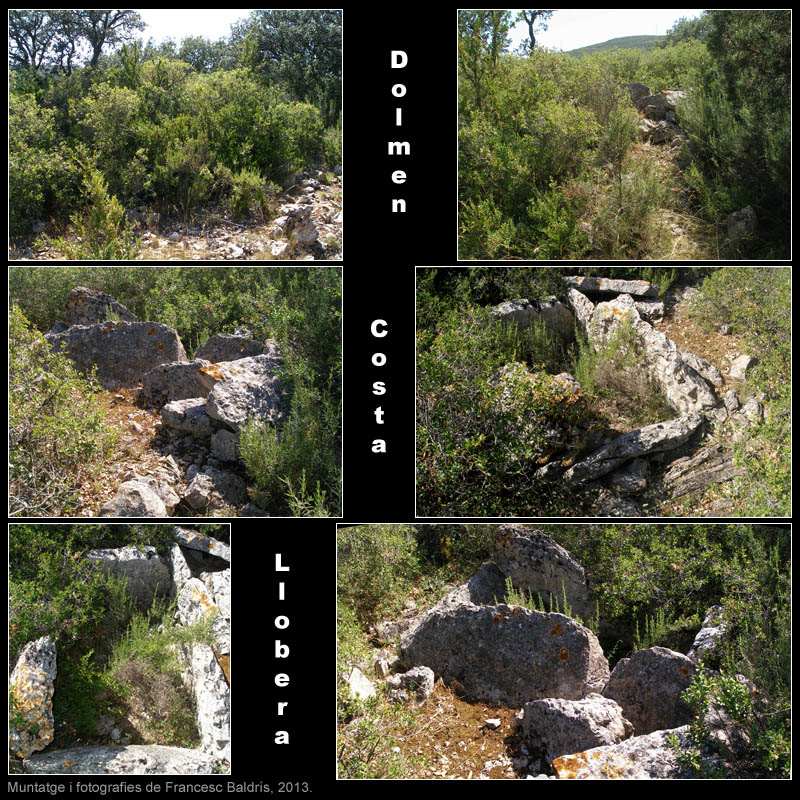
column 133, row 759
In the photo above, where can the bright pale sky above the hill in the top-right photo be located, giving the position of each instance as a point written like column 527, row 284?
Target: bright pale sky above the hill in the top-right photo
column 571, row 28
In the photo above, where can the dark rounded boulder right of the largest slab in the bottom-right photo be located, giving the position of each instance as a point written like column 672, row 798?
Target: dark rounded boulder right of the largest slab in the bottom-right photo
column 648, row 686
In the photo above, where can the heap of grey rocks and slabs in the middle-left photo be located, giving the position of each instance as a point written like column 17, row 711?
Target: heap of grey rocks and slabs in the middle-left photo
column 203, row 403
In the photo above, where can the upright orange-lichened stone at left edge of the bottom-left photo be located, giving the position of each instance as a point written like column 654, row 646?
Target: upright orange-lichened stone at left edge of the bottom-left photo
column 31, row 698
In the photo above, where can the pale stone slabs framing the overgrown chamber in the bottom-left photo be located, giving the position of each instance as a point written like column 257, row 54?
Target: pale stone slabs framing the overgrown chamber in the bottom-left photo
column 196, row 574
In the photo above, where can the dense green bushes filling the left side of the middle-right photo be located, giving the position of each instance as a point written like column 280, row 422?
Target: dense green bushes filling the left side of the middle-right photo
column 485, row 422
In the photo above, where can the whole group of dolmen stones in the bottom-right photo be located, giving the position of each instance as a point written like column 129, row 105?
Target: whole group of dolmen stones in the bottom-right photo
column 577, row 718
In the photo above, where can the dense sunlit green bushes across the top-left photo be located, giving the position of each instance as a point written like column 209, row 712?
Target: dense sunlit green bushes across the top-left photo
column 165, row 134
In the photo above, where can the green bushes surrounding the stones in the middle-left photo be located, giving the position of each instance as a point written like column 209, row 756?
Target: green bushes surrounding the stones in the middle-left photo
column 296, row 470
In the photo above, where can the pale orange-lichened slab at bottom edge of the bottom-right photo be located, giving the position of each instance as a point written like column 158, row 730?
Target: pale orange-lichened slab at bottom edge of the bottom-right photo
column 641, row 757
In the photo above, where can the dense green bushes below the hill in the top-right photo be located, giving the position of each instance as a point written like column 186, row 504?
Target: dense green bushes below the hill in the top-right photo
column 546, row 167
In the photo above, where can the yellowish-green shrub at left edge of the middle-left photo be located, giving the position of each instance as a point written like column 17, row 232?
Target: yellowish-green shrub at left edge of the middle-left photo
column 58, row 434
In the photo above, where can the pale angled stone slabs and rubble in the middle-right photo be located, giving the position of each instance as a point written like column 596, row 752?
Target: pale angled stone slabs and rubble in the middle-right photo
column 678, row 456
